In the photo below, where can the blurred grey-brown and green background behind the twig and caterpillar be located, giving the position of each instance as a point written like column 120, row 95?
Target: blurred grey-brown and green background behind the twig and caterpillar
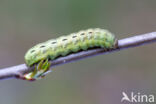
column 97, row 80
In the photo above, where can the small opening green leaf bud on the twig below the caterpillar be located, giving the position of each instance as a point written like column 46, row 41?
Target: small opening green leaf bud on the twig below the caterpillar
column 41, row 69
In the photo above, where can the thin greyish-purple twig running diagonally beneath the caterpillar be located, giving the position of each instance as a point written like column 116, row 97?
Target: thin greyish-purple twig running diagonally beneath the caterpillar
column 19, row 70
